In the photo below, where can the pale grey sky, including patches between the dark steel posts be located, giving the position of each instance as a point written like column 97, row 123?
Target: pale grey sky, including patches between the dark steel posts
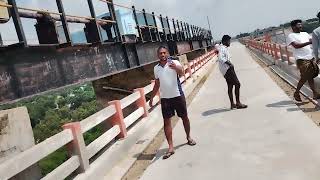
column 225, row 16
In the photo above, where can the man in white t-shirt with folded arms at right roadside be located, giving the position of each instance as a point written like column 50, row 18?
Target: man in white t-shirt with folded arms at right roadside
column 301, row 43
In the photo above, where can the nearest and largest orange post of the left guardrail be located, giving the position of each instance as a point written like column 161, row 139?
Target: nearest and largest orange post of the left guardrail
column 77, row 145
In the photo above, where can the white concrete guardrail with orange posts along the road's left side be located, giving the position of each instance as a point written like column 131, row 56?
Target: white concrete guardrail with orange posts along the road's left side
column 72, row 135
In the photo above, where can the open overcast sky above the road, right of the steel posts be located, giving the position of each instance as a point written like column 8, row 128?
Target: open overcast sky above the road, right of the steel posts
column 233, row 16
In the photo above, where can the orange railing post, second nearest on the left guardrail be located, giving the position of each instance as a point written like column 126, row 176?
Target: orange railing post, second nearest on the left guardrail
column 117, row 118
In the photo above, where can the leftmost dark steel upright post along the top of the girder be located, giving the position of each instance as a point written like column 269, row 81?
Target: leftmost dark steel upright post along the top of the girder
column 17, row 22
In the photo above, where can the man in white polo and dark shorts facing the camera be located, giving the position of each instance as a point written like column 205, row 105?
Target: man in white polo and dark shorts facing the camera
column 172, row 97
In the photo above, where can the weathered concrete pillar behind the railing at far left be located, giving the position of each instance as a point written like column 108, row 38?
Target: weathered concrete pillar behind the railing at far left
column 16, row 136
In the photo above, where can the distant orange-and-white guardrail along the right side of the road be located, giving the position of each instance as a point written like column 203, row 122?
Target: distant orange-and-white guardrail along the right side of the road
column 277, row 51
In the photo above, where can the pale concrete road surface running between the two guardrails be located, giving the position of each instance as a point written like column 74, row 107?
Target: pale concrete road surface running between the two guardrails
column 271, row 140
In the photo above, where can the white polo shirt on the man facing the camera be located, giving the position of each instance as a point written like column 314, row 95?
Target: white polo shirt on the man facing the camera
column 170, row 85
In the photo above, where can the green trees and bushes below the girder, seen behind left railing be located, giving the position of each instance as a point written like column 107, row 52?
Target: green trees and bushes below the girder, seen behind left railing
column 49, row 112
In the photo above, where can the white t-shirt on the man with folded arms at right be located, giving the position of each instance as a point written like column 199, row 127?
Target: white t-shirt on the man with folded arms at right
column 301, row 53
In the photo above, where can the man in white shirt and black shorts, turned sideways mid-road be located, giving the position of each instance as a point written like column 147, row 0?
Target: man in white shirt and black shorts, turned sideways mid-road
column 227, row 70
